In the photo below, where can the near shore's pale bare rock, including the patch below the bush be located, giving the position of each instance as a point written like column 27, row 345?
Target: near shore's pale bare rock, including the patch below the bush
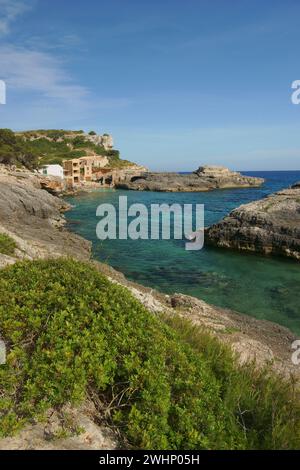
column 34, row 219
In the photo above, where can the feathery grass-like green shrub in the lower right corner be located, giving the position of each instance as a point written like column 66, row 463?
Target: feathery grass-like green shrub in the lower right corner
column 267, row 407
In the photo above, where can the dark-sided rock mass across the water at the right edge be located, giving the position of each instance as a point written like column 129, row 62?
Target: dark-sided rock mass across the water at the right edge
column 268, row 226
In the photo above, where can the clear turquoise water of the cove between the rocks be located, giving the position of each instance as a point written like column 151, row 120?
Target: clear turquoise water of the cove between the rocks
column 266, row 288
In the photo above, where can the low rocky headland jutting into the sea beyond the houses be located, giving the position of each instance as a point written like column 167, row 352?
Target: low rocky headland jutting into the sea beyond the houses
column 206, row 178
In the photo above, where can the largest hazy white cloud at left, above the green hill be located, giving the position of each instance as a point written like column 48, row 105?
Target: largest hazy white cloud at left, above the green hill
column 41, row 93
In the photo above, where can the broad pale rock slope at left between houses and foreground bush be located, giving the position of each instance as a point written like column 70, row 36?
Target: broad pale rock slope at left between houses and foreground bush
column 33, row 218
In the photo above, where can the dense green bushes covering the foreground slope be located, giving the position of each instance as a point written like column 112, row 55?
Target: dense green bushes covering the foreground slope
column 71, row 333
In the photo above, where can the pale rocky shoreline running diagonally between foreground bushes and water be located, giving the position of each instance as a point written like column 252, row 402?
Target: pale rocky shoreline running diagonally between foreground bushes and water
column 34, row 219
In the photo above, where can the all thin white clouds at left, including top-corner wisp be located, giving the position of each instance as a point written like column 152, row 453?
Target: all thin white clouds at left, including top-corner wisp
column 41, row 79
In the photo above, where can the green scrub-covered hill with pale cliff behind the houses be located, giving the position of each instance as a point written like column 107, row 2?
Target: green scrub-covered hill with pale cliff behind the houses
column 34, row 149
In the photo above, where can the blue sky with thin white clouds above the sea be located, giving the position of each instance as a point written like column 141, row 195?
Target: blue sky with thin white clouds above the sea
column 178, row 83
